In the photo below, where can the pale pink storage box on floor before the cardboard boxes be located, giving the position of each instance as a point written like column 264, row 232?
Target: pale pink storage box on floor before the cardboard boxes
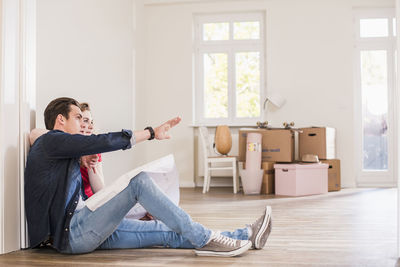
column 301, row 179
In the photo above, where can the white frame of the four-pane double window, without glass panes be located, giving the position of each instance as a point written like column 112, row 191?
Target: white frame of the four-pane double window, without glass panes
column 229, row 47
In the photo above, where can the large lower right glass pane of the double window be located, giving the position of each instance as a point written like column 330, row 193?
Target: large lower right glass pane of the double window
column 248, row 84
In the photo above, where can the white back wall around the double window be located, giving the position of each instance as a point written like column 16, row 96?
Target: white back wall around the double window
column 309, row 49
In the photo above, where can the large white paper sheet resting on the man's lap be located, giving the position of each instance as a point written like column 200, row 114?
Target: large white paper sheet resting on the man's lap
column 162, row 171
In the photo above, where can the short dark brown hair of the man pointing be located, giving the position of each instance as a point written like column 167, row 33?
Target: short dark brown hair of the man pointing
column 58, row 106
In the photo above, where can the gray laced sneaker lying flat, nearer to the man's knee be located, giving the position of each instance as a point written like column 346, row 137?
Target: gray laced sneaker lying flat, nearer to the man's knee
column 222, row 246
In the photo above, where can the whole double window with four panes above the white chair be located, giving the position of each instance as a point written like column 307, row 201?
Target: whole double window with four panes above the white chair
column 229, row 68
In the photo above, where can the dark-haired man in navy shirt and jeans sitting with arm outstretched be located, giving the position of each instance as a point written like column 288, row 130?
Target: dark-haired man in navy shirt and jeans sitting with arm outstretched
column 57, row 215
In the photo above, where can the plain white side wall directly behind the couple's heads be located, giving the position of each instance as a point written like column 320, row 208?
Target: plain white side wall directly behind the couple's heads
column 85, row 50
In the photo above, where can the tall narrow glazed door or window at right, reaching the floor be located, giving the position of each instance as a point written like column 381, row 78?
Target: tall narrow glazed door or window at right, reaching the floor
column 375, row 61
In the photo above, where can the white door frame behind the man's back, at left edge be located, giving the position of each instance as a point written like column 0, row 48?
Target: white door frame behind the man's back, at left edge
column 18, row 26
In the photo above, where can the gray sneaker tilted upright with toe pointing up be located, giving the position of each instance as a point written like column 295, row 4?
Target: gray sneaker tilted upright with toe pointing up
column 261, row 229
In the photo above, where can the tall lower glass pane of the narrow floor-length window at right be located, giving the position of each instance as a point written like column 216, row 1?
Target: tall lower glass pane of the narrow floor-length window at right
column 375, row 109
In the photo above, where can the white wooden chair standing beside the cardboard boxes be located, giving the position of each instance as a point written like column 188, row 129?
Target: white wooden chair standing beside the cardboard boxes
column 209, row 159
